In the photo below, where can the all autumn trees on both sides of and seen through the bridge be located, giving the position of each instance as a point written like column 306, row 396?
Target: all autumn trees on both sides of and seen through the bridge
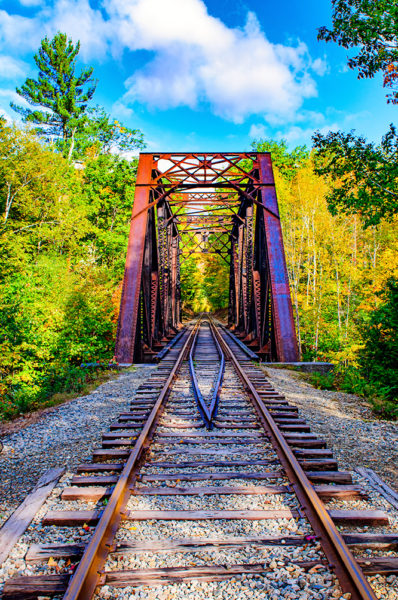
column 66, row 191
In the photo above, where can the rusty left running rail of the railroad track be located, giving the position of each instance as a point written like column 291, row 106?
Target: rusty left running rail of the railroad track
column 88, row 574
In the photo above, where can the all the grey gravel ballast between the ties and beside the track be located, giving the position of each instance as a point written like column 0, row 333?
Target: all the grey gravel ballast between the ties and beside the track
column 67, row 435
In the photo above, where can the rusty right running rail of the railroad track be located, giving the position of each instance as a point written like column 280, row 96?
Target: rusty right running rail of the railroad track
column 348, row 572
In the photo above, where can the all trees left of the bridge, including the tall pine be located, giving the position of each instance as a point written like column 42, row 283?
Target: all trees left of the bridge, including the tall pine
column 63, row 233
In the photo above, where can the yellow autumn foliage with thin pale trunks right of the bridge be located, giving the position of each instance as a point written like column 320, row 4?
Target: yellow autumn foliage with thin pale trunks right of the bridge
column 335, row 265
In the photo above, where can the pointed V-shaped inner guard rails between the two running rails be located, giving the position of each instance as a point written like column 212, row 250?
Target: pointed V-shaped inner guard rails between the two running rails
column 208, row 413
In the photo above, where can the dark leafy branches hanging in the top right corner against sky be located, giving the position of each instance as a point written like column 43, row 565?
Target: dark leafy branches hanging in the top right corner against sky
column 371, row 25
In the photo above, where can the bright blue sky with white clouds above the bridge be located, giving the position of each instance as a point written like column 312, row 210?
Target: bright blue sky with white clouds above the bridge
column 202, row 75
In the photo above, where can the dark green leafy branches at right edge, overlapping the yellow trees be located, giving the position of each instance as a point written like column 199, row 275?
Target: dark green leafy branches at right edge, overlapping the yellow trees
column 364, row 176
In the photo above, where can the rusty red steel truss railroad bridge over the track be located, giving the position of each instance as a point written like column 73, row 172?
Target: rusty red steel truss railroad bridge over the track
column 200, row 203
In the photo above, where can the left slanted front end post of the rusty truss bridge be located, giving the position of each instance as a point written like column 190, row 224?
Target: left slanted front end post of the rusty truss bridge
column 129, row 305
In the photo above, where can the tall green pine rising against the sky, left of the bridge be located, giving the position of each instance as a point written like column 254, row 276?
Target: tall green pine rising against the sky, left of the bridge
column 58, row 90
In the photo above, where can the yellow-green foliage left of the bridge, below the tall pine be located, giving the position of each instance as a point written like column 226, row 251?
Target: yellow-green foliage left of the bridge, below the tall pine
column 62, row 250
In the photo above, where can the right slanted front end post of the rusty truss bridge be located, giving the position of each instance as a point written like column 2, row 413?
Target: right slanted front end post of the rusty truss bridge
column 285, row 332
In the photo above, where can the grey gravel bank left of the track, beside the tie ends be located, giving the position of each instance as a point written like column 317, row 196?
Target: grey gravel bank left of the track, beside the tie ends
column 62, row 437
